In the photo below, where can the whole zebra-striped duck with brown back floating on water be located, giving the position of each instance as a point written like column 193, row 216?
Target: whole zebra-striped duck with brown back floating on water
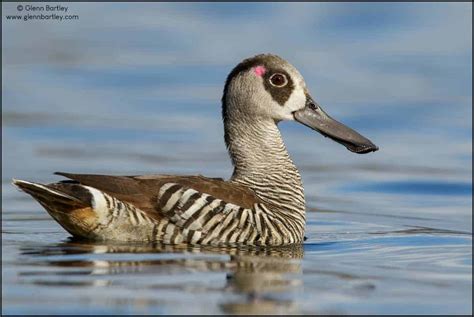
column 263, row 202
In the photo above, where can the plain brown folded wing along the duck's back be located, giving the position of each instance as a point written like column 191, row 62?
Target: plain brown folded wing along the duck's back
column 142, row 191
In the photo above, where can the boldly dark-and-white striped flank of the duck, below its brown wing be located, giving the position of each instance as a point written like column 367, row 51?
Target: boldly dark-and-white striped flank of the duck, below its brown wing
column 196, row 217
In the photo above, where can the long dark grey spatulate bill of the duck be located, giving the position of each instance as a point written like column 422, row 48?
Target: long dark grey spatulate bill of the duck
column 314, row 117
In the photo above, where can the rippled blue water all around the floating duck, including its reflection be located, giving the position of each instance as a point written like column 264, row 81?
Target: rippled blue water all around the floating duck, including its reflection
column 135, row 88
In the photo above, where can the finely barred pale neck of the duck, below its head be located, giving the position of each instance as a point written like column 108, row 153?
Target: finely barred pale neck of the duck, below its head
column 262, row 163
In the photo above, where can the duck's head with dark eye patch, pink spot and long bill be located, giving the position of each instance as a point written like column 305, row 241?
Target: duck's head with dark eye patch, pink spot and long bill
column 266, row 87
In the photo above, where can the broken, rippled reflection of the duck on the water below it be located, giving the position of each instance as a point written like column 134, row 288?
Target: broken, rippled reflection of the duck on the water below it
column 263, row 278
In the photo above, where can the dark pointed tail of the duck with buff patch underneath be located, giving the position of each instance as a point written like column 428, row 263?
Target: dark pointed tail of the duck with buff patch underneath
column 69, row 203
